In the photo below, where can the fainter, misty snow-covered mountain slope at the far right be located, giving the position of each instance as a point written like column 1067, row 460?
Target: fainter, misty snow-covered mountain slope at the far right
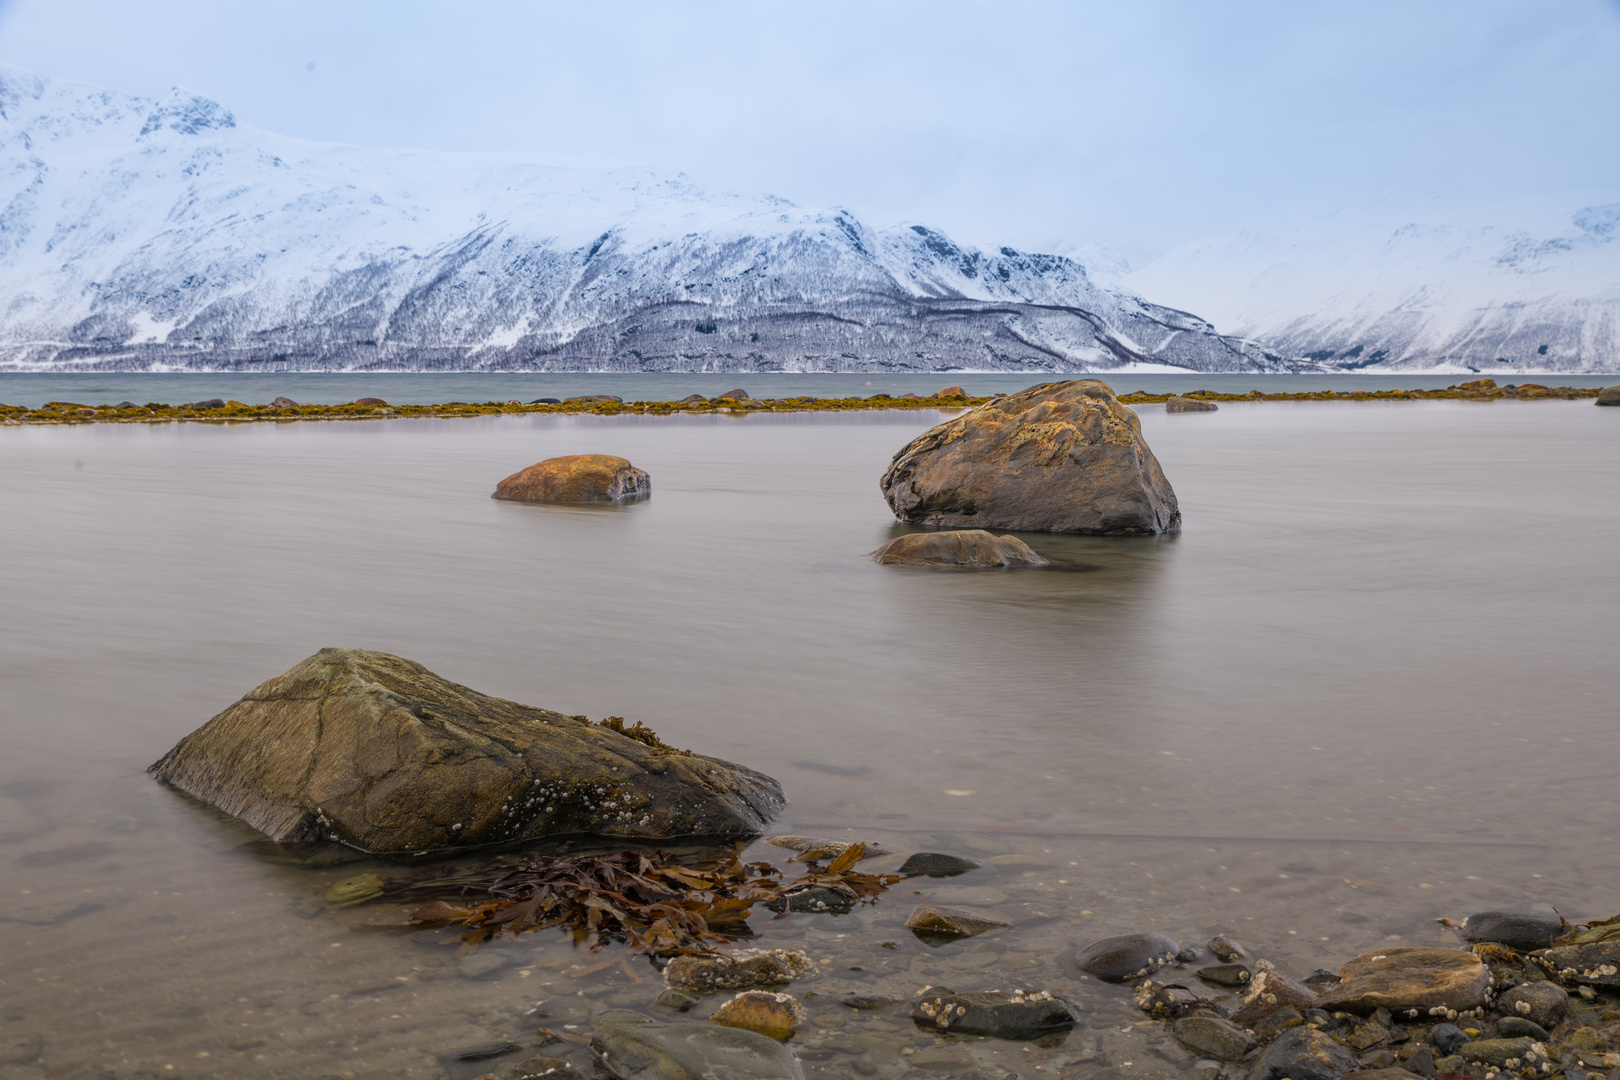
column 1528, row 287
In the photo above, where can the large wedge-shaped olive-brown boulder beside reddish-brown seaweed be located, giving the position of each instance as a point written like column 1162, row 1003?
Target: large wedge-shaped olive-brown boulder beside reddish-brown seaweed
column 380, row 754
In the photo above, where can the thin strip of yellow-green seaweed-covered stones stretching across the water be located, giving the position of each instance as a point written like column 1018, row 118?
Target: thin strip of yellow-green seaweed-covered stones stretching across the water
column 156, row 412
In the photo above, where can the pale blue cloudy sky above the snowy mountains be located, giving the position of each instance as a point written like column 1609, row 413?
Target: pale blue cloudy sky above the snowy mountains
column 1042, row 125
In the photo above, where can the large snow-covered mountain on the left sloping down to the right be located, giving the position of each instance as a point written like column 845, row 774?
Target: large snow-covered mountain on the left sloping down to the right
column 163, row 236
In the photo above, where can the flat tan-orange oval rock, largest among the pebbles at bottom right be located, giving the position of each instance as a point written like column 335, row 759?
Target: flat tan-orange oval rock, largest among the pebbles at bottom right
column 1410, row 979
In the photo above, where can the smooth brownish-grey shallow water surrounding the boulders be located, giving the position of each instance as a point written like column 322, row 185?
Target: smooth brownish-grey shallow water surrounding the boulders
column 1371, row 684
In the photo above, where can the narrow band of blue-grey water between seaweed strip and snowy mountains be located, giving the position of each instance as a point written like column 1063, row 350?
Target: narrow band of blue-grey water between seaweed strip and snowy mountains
column 432, row 389
